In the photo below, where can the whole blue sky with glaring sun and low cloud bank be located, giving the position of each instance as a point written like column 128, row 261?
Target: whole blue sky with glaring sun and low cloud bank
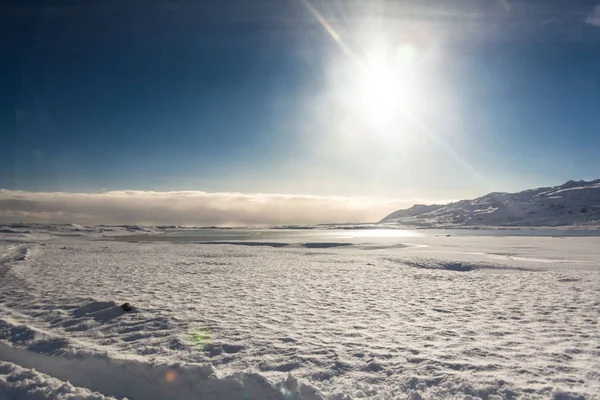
column 319, row 111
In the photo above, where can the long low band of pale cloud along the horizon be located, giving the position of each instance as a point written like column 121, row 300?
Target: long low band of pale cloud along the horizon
column 190, row 208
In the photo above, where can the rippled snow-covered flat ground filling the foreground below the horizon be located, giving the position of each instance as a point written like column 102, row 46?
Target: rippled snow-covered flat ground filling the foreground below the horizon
column 415, row 317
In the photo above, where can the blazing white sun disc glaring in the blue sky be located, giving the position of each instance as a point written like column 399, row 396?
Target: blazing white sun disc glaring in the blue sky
column 384, row 87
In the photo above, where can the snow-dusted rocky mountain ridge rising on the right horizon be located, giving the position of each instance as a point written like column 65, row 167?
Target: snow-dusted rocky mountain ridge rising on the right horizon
column 573, row 203
